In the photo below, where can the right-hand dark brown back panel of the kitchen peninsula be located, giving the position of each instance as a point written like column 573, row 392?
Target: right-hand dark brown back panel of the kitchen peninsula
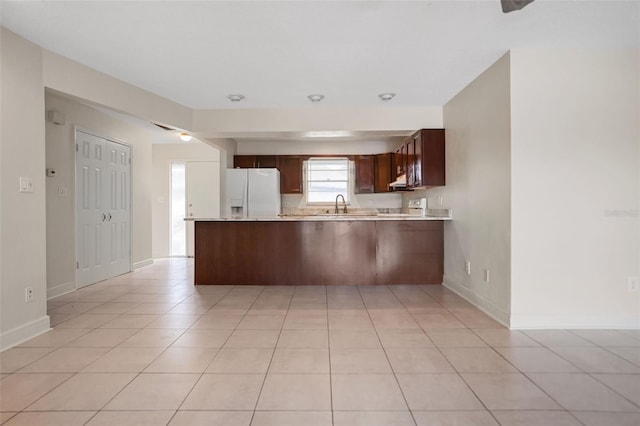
column 409, row 252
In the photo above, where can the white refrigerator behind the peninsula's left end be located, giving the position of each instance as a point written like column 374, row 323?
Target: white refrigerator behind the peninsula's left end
column 253, row 193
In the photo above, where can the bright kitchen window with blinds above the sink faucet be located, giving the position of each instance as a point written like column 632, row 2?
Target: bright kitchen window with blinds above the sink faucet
column 326, row 178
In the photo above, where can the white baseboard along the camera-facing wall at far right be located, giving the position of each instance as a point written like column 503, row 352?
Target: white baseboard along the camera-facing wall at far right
column 537, row 322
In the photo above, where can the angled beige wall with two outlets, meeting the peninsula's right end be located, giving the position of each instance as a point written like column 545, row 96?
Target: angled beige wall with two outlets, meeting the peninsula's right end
column 478, row 190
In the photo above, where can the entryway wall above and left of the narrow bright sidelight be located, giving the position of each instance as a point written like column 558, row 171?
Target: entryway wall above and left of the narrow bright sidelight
column 163, row 156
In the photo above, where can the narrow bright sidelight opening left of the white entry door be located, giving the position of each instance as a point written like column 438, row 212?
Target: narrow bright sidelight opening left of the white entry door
column 178, row 241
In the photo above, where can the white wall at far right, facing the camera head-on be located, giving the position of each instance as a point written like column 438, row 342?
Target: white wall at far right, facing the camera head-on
column 576, row 191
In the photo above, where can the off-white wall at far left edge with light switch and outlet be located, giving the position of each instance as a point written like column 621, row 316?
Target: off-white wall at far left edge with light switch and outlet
column 22, row 215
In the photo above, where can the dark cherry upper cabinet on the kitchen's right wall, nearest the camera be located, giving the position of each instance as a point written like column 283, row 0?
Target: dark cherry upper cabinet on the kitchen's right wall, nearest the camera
column 428, row 158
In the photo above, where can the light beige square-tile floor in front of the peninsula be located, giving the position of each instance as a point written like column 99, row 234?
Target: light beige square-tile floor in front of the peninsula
column 149, row 348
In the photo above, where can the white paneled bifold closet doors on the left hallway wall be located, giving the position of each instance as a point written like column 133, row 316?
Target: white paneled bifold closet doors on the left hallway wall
column 103, row 205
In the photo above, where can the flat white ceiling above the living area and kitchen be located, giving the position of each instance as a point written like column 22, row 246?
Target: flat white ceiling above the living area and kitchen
column 276, row 53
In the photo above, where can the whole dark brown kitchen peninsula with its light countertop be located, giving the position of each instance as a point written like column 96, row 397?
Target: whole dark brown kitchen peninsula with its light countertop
column 320, row 250
